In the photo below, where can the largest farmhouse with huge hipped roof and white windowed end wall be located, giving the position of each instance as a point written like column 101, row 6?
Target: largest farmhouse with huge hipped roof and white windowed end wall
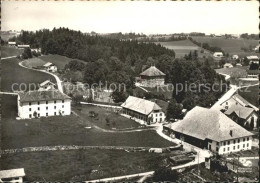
column 211, row 129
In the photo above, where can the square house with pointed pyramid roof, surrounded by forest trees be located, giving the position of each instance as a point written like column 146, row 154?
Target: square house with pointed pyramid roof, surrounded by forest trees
column 152, row 77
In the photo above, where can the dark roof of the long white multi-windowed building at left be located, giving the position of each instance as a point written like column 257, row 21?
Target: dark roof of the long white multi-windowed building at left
column 34, row 96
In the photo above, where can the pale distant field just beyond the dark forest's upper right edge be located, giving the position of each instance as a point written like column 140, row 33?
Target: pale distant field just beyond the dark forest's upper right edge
column 182, row 47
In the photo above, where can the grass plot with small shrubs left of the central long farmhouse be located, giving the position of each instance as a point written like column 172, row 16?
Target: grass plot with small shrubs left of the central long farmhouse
column 116, row 121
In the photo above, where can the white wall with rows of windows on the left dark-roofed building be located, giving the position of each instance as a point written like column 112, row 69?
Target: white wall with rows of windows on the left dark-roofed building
column 43, row 109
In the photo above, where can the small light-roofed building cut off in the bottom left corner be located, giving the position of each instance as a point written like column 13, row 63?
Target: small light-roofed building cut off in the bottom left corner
column 12, row 175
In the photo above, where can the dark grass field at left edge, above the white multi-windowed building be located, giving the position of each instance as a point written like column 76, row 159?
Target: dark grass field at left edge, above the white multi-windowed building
column 14, row 75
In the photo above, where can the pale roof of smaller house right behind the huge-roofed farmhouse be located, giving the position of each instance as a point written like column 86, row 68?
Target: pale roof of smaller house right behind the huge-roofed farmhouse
column 241, row 111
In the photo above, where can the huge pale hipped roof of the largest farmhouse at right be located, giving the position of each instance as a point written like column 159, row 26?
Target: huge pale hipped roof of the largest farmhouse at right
column 203, row 123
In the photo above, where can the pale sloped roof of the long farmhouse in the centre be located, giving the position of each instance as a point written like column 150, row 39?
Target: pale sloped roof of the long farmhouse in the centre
column 140, row 105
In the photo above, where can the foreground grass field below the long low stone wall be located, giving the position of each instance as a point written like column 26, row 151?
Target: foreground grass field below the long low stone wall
column 82, row 165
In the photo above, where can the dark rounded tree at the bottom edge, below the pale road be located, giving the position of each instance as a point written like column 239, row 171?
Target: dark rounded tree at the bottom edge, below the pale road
column 165, row 174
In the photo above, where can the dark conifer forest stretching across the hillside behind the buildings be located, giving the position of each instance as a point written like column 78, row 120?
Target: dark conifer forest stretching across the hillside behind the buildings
column 115, row 61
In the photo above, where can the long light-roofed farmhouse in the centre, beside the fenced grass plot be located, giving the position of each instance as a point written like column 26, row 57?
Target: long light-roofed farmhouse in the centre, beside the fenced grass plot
column 143, row 111
